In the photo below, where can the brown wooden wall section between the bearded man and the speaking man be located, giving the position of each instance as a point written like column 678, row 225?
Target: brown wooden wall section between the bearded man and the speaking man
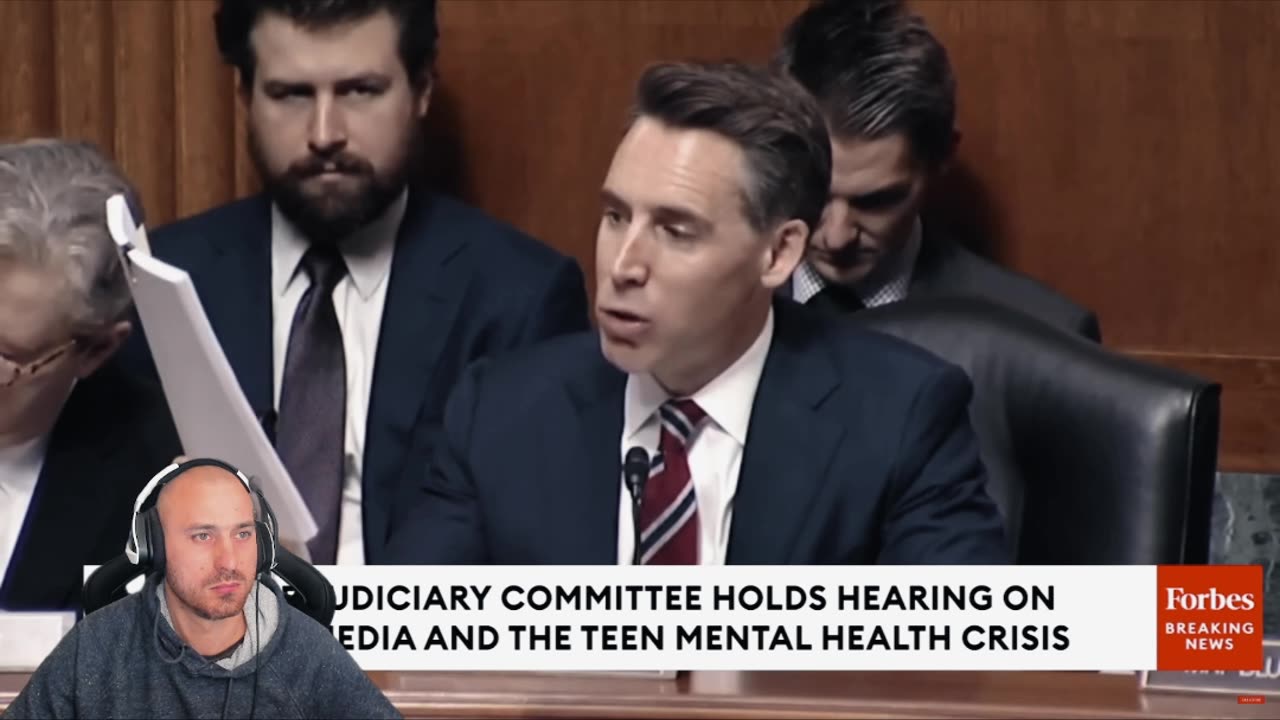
column 536, row 93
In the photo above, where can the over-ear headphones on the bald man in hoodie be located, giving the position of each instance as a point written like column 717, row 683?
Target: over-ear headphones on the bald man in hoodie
column 145, row 548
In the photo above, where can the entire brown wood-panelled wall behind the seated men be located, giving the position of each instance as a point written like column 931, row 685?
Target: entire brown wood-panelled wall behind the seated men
column 1122, row 151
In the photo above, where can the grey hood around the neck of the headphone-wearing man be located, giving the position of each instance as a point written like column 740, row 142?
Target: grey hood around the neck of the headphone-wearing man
column 264, row 626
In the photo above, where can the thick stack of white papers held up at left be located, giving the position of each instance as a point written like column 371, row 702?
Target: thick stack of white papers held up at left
column 213, row 417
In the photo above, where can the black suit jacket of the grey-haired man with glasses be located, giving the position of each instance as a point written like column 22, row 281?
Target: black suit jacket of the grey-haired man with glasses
column 113, row 435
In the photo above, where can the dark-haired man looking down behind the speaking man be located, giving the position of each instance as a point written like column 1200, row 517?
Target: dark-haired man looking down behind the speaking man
column 886, row 88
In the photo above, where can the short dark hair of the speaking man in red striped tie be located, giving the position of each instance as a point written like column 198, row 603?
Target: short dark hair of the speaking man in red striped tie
column 779, row 127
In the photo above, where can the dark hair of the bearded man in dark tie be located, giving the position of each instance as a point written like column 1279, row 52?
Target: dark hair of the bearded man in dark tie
column 419, row 33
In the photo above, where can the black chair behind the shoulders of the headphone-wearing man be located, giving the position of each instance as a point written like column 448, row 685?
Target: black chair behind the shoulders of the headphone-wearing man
column 305, row 589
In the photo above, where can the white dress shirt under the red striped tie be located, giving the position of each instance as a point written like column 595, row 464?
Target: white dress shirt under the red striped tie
column 715, row 452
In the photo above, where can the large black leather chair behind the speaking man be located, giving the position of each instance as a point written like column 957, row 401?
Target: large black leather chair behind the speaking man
column 1094, row 458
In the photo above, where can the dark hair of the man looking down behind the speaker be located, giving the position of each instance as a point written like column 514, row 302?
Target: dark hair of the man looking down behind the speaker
column 877, row 71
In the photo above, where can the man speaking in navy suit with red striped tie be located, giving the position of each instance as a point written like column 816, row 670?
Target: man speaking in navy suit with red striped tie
column 771, row 434
